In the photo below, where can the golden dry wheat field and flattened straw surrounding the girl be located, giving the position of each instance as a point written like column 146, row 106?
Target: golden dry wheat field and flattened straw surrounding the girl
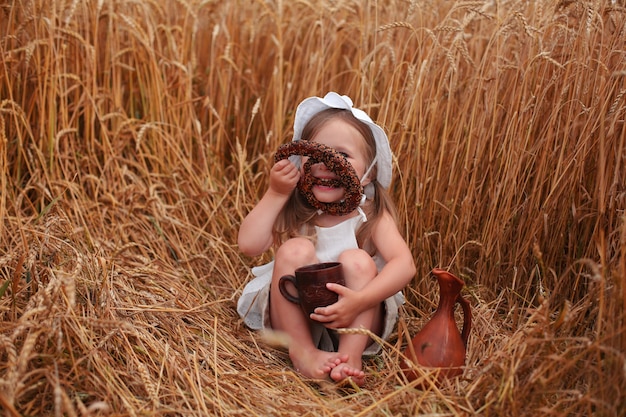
column 135, row 135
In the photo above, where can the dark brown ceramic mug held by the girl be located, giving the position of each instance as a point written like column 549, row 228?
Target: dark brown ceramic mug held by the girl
column 310, row 281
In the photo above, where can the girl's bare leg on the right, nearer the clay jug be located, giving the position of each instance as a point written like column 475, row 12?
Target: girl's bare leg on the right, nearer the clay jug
column 359, row 269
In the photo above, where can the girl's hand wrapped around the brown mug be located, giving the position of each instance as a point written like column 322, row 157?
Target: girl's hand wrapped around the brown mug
column 341, row 314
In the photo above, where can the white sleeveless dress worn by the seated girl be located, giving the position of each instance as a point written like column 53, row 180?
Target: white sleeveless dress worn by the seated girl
column 253, row 305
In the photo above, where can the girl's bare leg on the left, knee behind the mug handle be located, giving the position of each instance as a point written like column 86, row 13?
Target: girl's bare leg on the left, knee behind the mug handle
column 289, row 318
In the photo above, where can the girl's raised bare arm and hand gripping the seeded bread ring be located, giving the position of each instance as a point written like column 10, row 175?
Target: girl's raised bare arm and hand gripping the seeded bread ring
column 255, row 233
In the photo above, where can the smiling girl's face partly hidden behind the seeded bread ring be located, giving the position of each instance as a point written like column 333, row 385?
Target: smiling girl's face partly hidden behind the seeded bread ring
column 345, row 139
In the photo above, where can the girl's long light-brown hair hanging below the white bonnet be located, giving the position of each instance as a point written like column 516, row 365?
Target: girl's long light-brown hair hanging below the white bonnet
column 297, row 218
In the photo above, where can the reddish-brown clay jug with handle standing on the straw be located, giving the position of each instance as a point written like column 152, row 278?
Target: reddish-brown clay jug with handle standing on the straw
column 440, row 344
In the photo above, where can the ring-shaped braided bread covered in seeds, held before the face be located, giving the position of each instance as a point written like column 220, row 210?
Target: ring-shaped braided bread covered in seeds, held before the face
column 336, row 163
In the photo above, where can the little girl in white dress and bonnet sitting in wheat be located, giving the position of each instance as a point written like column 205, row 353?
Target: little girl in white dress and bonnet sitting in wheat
column 377, row 262
